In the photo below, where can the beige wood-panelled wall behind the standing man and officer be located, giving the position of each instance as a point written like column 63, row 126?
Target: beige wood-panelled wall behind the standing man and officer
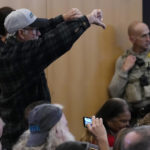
column 79, row 79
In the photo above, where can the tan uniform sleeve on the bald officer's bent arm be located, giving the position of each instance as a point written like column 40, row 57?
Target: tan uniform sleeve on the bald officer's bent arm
column 119, row 80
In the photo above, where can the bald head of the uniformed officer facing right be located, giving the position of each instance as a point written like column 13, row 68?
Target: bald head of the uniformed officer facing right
column 139, row 36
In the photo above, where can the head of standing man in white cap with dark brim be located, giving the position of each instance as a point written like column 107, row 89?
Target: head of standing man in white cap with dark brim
column 24, row 24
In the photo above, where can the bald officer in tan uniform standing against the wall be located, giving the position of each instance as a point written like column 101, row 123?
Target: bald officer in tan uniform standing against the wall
column 131, row 80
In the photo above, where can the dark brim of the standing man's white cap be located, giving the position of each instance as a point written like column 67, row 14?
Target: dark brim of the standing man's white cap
column 40, row 23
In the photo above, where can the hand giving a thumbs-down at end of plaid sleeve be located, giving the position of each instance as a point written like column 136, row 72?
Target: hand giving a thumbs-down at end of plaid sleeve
column 95, row 17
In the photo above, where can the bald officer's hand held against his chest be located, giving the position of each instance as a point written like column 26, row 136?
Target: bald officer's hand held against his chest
column 129, row 63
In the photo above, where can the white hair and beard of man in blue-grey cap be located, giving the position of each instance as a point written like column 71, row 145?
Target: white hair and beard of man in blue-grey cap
column 52, row 140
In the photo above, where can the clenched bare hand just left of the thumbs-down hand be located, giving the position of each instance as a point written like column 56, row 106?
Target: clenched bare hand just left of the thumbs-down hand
column 73, row 13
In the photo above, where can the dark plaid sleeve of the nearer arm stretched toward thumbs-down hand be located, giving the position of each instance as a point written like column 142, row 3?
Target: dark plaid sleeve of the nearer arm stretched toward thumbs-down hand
column 38, row 54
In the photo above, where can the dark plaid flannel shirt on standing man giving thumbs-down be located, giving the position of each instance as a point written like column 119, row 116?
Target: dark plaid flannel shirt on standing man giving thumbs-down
column 22, row 64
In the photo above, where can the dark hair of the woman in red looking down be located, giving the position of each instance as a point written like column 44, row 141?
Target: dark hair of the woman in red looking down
column 111, row 109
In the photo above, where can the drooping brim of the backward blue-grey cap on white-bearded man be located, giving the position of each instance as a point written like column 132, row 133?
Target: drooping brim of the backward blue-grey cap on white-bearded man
column 36, row 139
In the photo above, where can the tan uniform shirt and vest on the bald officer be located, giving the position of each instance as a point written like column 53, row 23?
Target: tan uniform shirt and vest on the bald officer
column 127, row 84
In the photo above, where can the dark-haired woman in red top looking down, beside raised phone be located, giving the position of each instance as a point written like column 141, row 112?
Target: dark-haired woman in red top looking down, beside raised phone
column 116, row 116
